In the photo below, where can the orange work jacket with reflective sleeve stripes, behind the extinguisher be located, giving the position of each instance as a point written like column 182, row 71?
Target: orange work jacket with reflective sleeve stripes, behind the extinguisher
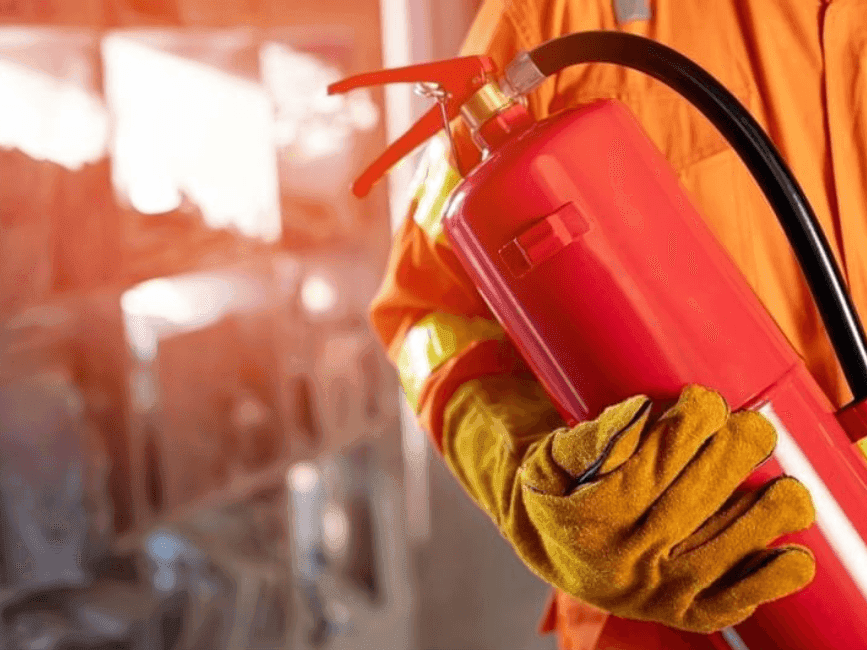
column 794, row 64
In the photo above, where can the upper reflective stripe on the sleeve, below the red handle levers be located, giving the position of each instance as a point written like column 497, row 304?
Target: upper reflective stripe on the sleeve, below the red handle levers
column 439, row 181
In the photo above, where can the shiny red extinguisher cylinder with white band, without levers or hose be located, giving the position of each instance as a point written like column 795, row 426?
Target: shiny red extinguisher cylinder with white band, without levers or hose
column 588, row 251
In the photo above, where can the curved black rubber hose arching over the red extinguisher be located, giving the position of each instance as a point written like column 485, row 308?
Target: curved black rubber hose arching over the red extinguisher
column 758, row 153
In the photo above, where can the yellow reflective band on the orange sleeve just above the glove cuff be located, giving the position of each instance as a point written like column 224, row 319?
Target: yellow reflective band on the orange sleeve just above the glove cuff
column 432, row 341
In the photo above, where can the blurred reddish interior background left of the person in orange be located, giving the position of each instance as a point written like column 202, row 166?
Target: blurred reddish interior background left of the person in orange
column 203, row 446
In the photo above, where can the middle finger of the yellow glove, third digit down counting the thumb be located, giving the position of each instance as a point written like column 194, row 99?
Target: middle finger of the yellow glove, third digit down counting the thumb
column 711, row 478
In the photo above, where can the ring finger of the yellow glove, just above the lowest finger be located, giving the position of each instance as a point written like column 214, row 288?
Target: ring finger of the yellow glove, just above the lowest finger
column 782, row 507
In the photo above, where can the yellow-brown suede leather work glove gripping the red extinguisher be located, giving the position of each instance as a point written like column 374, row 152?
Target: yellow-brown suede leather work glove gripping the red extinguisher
column 639, row 516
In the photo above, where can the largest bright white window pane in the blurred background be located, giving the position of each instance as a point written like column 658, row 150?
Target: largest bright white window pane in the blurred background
column 183, row 128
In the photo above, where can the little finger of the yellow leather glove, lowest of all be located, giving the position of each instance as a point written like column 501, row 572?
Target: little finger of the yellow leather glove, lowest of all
column 764, row 577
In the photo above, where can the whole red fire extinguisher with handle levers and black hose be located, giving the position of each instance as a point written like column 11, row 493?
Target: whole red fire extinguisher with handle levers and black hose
column 577, row 234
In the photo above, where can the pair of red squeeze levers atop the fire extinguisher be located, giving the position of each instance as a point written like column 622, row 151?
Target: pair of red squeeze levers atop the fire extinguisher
column 460, row 78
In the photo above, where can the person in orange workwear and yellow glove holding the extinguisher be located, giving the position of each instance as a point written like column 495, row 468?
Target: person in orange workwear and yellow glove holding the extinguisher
column 794, row 65
